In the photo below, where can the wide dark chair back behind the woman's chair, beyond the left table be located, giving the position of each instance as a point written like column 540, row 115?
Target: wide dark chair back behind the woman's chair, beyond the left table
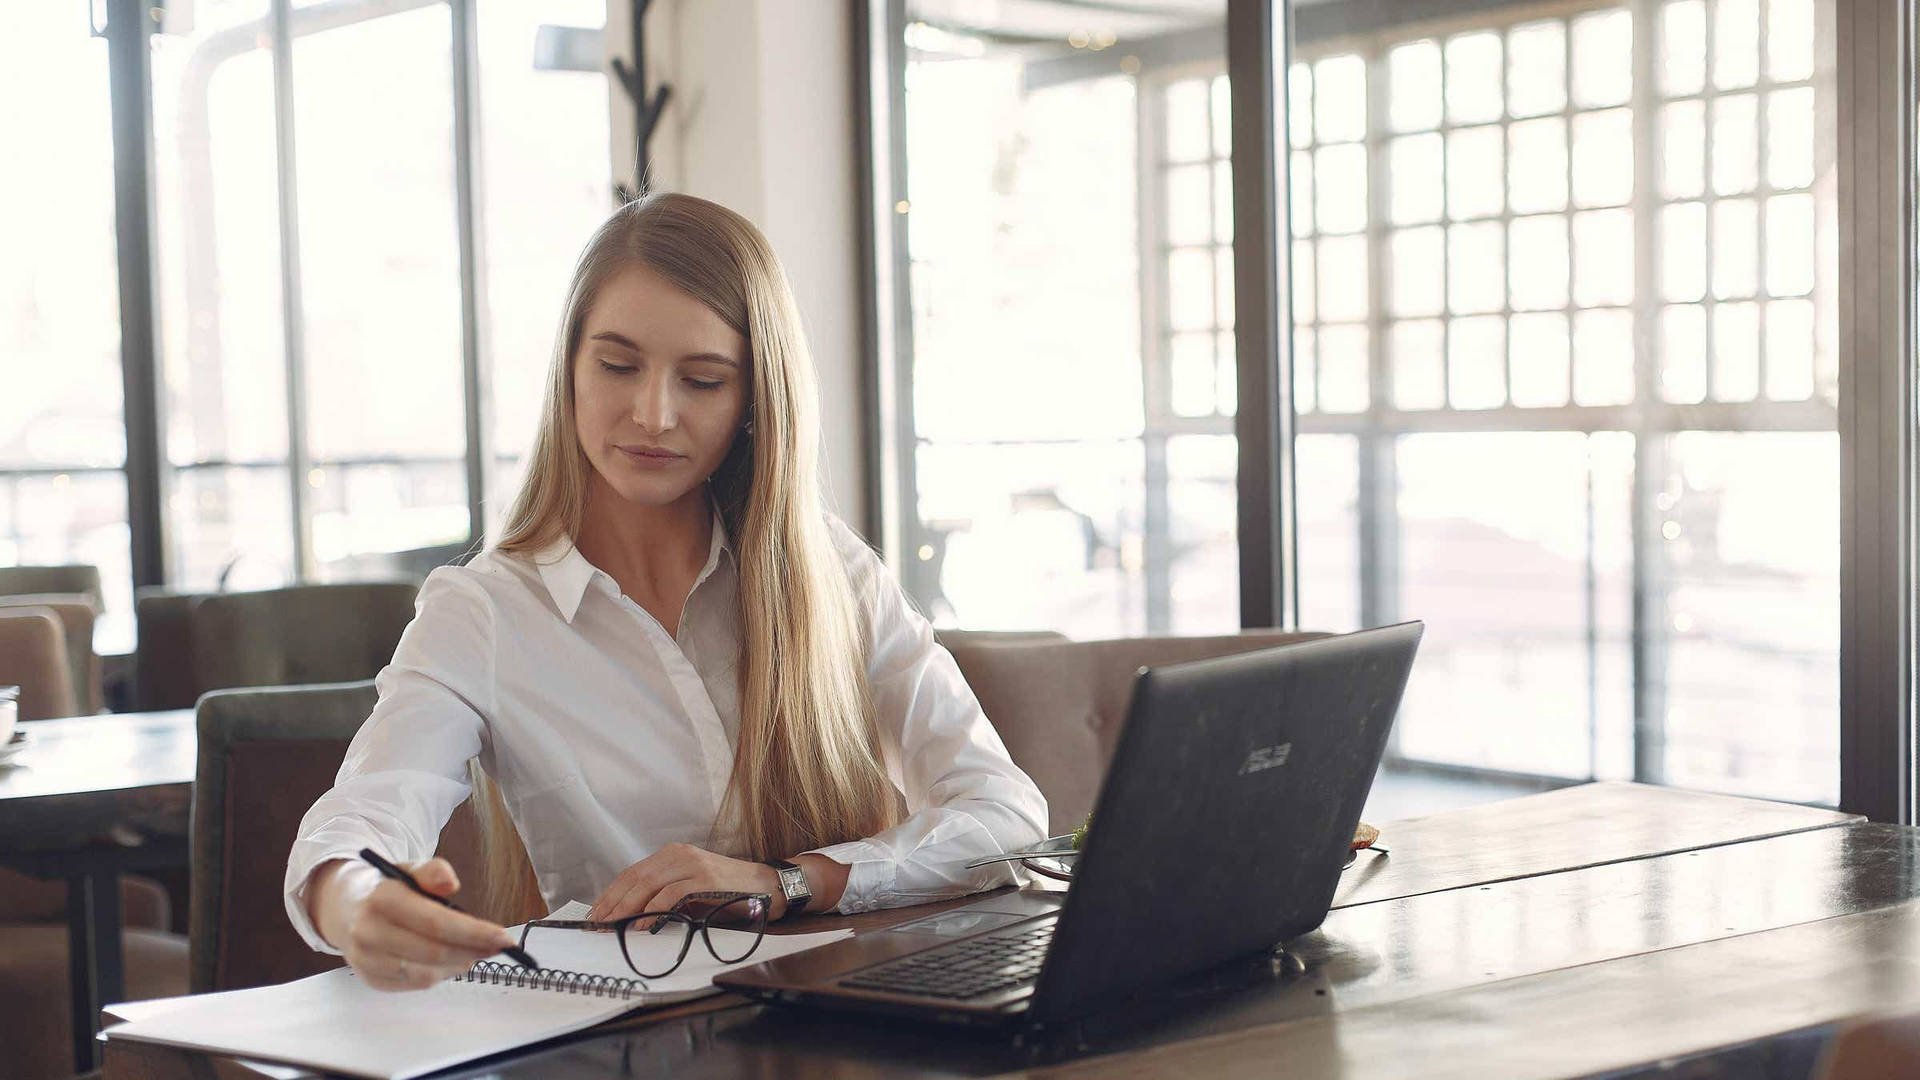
column 283, row 637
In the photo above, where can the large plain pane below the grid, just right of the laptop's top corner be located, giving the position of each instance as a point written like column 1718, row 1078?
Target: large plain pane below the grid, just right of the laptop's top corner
column 1512, row 577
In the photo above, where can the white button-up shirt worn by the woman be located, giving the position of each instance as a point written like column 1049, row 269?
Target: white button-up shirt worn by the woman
column 612, row 739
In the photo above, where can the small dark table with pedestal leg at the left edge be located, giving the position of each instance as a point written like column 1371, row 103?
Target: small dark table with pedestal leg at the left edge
column 89, row 800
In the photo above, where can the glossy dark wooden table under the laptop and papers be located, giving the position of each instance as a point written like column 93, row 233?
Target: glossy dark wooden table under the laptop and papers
column 1562, row 935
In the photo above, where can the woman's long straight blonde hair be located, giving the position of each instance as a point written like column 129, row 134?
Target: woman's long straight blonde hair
column 807, row 768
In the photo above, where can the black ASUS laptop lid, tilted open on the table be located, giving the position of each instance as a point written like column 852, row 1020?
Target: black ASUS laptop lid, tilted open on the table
column 1228, row 812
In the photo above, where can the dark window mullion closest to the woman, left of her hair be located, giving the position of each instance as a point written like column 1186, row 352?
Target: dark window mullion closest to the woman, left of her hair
column 477, row 380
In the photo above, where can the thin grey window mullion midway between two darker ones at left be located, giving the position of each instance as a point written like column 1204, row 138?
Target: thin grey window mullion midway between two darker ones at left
column 293, row 308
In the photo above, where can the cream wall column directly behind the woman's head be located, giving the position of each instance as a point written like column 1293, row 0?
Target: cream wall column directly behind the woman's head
column 763, row 120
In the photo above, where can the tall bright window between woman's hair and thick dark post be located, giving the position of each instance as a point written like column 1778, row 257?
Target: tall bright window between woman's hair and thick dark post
column 1068, row 424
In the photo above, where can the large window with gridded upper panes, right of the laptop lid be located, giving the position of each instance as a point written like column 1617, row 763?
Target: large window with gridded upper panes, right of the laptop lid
column 1566, row 353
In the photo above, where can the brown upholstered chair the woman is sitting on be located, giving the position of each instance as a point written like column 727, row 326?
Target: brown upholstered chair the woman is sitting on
column 266, row 756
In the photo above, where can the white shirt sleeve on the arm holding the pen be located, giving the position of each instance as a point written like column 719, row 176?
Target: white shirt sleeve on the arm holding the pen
column 406, row 770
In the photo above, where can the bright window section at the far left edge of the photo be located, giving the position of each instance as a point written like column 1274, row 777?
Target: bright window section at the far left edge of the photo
column 62, row 437
